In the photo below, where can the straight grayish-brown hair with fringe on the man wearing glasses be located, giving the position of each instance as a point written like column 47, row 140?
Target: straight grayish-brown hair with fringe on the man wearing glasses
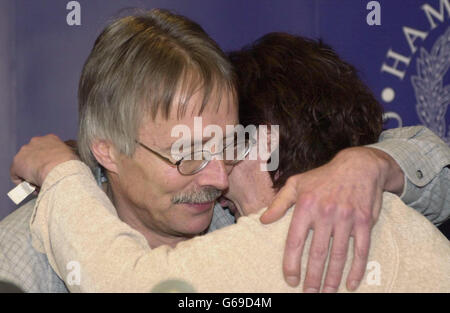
column 136, row 67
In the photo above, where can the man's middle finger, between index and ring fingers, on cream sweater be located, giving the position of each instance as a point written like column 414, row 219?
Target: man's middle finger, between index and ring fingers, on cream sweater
column 318, row 253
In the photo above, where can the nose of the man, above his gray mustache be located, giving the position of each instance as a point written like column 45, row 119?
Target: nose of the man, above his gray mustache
column 214, row 174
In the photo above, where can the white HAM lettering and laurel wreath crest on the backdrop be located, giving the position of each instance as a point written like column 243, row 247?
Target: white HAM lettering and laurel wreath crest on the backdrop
column 429, row 81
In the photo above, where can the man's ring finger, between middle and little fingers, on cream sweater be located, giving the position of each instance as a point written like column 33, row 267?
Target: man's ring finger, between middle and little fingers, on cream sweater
column 338, row 257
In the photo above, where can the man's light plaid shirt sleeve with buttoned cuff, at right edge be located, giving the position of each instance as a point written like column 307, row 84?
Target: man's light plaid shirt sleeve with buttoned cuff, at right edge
column 425, row 160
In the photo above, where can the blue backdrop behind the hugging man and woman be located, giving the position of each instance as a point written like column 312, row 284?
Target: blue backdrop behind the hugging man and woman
column 404, row 60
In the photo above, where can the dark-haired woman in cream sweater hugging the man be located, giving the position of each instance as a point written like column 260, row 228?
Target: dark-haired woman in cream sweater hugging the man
column 319, row 114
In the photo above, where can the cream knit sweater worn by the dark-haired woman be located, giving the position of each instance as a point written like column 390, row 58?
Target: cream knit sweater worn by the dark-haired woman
column 74, row 221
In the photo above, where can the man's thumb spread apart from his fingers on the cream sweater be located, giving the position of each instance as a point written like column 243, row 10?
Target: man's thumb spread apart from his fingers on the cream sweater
column 285, row 199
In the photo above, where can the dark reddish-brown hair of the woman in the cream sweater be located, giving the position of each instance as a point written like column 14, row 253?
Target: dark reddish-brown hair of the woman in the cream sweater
column 316, row 98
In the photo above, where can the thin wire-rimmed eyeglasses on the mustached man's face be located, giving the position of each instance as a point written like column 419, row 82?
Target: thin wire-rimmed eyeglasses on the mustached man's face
column 195, row 161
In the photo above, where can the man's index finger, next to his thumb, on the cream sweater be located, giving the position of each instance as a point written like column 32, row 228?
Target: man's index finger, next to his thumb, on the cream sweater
column 295, row 242
